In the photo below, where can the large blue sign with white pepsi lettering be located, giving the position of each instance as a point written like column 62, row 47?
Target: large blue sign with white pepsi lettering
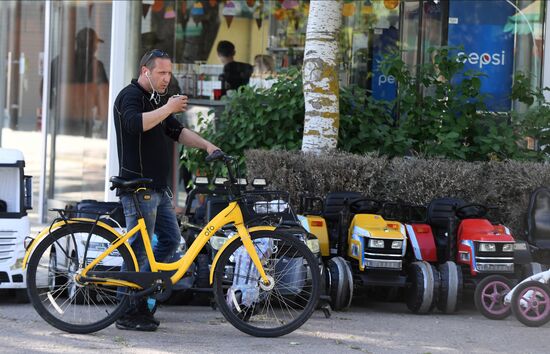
column 479, row 30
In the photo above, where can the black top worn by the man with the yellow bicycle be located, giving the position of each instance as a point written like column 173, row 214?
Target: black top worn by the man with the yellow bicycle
column 143, row 154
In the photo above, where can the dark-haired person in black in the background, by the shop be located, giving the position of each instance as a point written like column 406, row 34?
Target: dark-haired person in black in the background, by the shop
column 235, row 74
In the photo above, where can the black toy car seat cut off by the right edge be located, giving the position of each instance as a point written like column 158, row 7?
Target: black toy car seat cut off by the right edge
column 538, row 219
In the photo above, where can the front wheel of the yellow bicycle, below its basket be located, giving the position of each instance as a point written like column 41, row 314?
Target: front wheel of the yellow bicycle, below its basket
column 279, row 307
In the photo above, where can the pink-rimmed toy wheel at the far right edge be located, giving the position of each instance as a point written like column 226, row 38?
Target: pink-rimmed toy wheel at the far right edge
column 531, row 303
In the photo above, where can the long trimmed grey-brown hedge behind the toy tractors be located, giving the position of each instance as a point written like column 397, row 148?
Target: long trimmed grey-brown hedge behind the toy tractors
column 506, row 185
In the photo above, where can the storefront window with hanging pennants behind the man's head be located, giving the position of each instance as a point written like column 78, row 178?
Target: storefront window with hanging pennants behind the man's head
column 190, row 31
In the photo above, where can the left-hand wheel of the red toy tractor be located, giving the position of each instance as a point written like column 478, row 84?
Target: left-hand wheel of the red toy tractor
column 450, row 288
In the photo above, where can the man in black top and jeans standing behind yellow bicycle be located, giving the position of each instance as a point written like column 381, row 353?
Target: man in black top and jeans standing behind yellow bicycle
column 144, row 122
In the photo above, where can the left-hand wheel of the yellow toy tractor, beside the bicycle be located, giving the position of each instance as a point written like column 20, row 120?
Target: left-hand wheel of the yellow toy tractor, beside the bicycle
column 340, row 283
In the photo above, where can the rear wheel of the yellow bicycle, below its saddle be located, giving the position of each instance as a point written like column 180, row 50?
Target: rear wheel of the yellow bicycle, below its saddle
column 53, row 290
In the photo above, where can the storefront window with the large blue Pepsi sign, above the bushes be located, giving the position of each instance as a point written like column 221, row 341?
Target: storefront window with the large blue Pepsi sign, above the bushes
column 497, row 39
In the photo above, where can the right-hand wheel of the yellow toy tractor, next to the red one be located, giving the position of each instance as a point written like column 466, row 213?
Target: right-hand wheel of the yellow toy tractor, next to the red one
column 421, row 296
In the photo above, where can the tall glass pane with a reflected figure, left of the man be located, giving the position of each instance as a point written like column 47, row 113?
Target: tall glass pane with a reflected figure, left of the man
column 79, row 96
